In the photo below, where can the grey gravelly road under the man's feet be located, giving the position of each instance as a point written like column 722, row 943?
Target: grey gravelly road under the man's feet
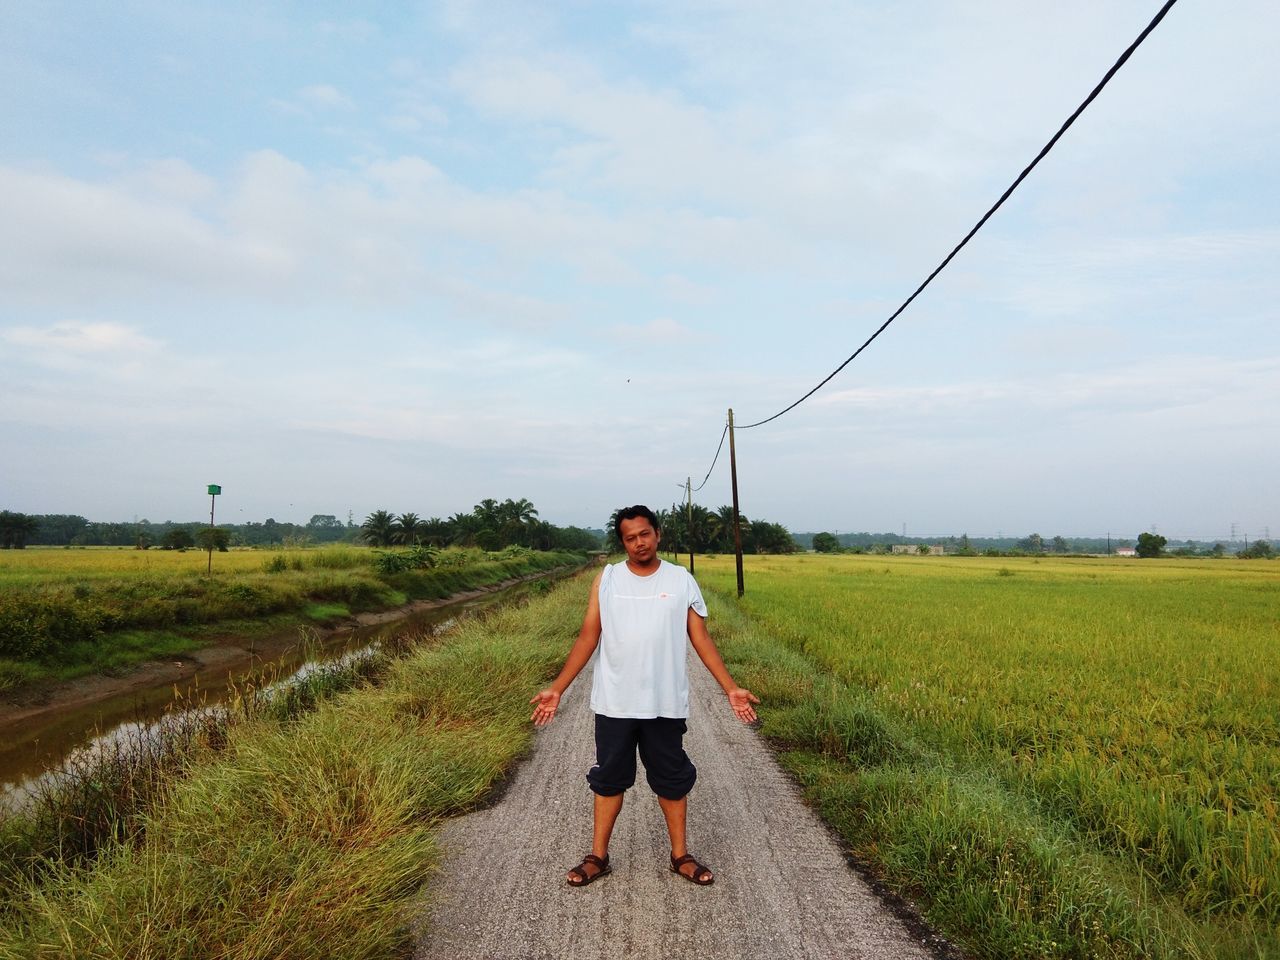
column 783, row 888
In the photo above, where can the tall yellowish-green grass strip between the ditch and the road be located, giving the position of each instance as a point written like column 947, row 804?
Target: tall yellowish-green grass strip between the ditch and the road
column 300, row 833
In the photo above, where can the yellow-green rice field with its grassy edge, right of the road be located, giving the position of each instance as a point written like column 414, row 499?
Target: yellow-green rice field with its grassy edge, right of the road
column 1062, row 757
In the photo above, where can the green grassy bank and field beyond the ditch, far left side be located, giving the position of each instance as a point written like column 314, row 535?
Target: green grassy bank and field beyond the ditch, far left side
column 74, row 627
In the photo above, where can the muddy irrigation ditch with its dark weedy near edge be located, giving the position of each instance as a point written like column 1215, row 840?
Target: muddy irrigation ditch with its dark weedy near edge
column 88, row 775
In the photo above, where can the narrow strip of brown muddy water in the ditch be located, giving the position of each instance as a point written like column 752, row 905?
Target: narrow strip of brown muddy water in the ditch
column 45, row 743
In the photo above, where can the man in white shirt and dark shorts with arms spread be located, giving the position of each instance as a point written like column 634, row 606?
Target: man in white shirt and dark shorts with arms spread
column 639, row 615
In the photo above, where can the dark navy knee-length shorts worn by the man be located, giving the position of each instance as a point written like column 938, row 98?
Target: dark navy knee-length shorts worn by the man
column 668, row 767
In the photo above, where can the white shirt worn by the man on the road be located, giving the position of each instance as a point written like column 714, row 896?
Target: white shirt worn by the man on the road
column 644, row 630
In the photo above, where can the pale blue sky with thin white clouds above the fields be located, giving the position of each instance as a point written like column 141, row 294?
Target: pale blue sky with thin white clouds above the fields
column 437, row 253
